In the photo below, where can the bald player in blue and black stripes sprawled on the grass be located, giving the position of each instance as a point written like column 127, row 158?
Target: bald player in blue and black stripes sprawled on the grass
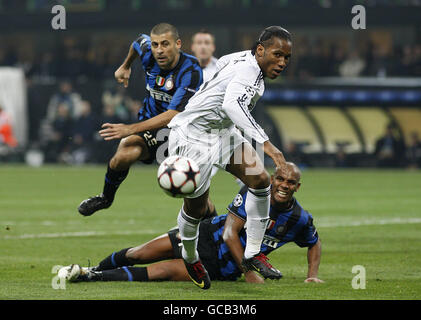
column 221, row 242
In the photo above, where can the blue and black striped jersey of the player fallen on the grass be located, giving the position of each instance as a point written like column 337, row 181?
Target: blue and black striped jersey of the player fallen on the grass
column 291, row 225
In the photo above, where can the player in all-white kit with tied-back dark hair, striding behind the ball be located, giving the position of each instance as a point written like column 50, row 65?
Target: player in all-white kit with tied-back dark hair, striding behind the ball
column 206, row 131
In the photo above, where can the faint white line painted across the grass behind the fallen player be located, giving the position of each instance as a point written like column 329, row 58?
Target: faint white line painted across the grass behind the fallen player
column 327, row 224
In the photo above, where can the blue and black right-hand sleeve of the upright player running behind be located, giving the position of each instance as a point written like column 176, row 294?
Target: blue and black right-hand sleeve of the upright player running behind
column 189, row 83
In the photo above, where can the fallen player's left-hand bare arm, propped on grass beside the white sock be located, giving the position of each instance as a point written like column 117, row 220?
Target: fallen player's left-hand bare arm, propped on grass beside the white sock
column 232, row 227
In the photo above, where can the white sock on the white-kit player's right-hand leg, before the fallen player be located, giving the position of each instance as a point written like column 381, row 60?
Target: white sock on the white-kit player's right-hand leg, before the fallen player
column 257, row 207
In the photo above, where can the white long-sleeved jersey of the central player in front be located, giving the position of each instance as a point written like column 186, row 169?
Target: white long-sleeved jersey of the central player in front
column 225, row 100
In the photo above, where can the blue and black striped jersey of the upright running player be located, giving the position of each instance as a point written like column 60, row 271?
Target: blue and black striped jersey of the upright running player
column 166, row 89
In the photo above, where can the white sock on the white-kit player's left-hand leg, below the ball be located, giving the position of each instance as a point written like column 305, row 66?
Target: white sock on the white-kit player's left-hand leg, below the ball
column 189, row 232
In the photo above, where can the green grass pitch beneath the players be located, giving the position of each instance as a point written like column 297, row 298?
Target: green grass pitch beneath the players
column 364, row 217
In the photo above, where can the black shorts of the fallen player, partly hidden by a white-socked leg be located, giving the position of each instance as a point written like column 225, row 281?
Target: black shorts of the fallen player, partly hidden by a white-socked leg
column 206, row 247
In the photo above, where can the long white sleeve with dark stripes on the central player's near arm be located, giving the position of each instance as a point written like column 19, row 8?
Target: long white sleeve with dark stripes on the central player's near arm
column 238, row 97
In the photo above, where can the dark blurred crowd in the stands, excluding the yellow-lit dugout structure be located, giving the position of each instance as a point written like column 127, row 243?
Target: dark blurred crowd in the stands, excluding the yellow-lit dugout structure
column 72, row 91
